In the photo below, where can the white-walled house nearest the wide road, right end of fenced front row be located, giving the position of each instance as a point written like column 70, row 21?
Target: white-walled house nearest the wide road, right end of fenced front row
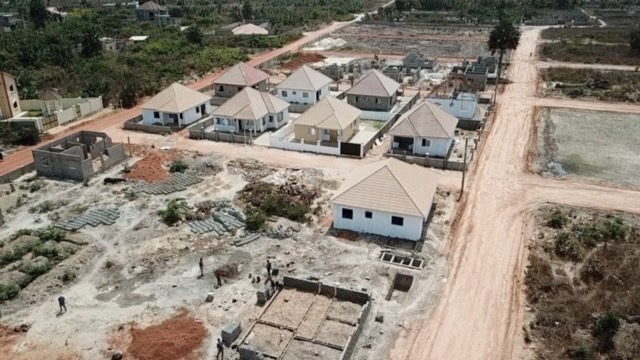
column 425, row 130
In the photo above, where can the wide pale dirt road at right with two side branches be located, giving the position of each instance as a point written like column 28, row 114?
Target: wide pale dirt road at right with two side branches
column 479, row 315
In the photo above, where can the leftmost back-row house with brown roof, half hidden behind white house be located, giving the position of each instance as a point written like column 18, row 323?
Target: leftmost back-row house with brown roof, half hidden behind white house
column 239, row 77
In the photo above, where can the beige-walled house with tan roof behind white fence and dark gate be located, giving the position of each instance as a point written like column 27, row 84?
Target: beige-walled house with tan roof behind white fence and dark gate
column 330, row 120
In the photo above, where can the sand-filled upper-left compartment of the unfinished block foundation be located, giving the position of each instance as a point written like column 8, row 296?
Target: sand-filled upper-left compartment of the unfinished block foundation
column 289, row 308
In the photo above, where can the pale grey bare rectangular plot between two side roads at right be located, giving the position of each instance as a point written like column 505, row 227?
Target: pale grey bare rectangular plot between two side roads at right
column 596, row 146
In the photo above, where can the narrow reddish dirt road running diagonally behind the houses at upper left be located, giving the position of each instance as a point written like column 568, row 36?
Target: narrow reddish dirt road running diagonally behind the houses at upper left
column 23, row 157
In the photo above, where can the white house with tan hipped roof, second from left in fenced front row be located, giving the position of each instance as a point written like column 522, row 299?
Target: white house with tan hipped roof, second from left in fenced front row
column 251, row 110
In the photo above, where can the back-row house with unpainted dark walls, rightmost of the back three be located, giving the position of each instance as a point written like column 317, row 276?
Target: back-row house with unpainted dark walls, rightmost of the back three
column 373, row 91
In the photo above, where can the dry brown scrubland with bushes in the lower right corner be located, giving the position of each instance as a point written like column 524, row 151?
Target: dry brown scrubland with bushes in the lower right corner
column 583, row 287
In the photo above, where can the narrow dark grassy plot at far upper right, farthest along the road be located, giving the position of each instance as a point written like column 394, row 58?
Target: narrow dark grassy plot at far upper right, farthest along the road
column 603, row 35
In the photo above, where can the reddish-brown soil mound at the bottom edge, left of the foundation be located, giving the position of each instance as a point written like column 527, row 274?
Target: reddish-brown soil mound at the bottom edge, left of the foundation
column 177, row 338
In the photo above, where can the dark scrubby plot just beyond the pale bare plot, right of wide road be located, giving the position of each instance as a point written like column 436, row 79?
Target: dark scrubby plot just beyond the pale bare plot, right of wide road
column 618, row 86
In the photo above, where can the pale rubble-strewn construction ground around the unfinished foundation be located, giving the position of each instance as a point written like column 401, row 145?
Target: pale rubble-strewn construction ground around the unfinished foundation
column 133, row 279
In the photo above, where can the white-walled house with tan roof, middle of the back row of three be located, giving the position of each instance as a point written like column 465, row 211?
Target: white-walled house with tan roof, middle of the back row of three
column 305, row 86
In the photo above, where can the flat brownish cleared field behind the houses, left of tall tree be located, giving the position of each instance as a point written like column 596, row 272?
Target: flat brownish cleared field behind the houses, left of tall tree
column 402, row 39
